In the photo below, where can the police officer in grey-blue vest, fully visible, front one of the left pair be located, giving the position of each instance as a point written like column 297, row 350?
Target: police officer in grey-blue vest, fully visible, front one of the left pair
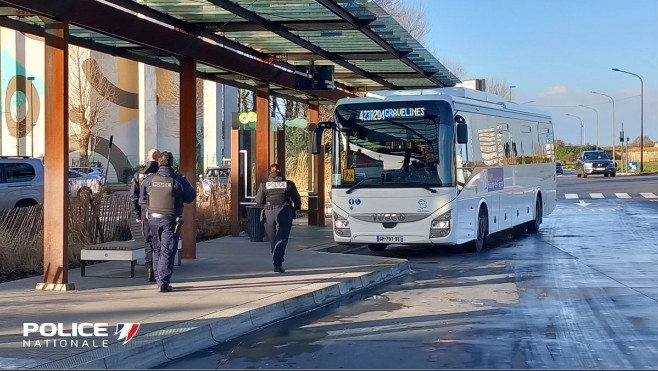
column 164, row 193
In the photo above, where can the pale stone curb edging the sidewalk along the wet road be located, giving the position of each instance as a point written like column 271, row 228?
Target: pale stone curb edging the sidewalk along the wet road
column 158, row 347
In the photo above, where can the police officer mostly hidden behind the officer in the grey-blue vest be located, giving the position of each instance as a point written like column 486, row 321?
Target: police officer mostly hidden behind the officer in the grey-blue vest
column 140, row 209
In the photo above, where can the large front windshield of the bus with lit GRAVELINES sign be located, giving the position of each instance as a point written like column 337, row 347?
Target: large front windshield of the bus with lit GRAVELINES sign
column 399, row 145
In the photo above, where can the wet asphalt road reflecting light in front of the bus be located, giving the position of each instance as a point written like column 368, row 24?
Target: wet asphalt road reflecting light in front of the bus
column 580, row 294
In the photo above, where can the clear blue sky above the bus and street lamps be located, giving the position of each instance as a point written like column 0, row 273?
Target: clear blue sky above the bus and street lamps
column 555, row 52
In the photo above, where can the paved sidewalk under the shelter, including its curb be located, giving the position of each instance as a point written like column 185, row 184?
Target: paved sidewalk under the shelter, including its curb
column 228, row 291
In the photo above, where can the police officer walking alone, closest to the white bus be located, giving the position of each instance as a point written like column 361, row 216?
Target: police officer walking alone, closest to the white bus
column 282, row 201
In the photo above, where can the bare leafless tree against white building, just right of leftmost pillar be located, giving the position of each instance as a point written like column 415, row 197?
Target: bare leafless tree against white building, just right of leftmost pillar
column 90, row 94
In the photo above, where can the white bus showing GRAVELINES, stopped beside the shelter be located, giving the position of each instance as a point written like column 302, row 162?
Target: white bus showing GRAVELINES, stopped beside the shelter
column 443, row 166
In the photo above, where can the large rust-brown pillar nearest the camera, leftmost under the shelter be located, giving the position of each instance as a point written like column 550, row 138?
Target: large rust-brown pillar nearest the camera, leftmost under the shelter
column 56, row 160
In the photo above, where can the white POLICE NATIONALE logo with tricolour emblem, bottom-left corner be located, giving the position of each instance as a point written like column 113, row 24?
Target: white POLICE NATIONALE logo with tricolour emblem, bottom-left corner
column 77, row 335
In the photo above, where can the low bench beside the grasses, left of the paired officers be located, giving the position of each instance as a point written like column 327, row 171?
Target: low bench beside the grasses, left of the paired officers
column 132, row 250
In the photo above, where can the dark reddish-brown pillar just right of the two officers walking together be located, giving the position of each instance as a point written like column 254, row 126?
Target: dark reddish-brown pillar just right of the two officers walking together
column 188, row 150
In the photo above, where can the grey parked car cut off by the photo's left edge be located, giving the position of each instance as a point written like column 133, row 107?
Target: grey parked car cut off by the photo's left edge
column 21, row 182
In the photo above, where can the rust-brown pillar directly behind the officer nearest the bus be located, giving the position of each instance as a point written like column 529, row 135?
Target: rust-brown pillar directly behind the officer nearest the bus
column 262, row 133
